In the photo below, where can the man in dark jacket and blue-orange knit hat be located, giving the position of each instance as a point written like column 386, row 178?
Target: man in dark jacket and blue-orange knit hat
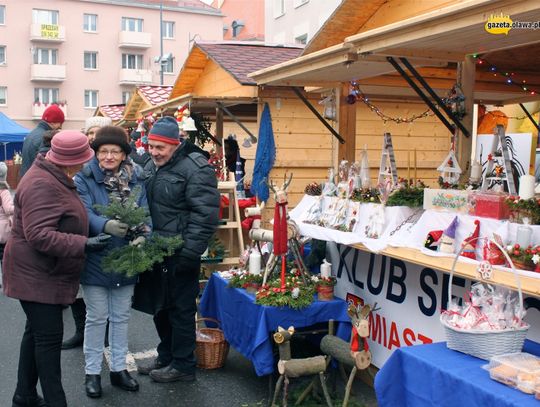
column 183, row 199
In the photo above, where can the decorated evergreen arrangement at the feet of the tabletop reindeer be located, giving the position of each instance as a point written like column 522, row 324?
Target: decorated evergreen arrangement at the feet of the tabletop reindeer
column 296, row 295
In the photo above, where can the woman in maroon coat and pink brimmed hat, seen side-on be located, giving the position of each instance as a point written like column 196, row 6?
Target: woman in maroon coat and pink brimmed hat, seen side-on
column 43, row 260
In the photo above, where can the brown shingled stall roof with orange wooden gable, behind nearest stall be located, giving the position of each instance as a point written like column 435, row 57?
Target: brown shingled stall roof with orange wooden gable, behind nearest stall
column 238, row 59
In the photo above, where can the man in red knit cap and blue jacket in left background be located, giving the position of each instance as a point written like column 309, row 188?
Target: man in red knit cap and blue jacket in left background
column 52, row 119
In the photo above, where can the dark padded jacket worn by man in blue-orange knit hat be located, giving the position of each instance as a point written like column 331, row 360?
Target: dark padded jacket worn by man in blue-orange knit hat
column 183, row 198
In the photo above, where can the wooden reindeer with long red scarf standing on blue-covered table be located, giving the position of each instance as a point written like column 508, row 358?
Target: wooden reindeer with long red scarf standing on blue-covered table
column 285, row 234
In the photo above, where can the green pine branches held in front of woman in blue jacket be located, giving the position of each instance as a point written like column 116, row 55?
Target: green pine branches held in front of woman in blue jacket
column 133, row 260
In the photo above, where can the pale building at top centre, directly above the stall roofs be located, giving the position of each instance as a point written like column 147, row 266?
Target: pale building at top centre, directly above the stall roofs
column 295, row 21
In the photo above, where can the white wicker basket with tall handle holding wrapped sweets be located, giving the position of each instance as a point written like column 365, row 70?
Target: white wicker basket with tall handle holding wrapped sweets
column 485, row 344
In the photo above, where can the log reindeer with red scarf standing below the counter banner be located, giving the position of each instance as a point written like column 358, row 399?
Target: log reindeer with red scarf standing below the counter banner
column 355, row 354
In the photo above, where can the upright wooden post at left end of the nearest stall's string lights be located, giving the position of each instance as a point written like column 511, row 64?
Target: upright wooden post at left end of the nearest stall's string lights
column 347, row 126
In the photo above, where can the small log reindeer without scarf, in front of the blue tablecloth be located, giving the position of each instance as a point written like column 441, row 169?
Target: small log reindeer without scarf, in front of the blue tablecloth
column 288, row 367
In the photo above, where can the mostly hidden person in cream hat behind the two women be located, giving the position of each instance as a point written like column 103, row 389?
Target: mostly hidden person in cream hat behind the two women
column 78, row 308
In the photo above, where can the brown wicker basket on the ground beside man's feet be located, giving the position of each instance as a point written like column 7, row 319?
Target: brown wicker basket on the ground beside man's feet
column 212, row 349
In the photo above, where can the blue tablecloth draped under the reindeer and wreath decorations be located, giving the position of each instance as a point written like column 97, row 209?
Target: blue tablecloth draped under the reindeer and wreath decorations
column 247, row 326
